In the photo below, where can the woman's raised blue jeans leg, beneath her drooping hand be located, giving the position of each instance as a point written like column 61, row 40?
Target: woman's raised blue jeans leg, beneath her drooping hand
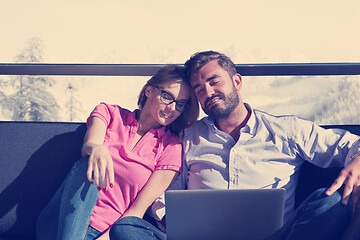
column 68, row 213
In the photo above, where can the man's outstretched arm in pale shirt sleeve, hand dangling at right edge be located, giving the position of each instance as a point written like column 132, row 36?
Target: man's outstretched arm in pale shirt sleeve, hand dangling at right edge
column 330, row 148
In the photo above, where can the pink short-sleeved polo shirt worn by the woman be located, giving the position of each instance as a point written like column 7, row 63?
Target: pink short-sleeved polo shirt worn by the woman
column 157, row 149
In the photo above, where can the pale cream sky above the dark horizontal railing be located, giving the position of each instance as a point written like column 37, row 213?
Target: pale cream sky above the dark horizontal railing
column 165, row 31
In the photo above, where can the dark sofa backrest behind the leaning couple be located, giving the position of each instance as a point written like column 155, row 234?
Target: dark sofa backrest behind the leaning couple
column 35, row 158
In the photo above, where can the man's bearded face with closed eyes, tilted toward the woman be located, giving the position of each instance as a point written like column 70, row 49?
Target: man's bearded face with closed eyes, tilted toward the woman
column 215, row 90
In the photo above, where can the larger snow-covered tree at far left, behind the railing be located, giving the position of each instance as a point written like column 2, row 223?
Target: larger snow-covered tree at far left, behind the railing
column 31, row 100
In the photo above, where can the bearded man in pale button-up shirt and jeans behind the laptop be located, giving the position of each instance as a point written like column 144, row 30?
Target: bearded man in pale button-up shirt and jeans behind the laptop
column 238, row 147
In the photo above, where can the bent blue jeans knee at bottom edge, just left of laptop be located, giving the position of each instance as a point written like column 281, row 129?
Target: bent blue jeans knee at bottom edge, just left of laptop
column 129, row 228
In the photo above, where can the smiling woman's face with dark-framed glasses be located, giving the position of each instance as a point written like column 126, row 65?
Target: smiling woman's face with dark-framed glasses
column 161, row 101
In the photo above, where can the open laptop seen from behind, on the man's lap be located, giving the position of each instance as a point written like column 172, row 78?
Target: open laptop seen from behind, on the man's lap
column 252, row 214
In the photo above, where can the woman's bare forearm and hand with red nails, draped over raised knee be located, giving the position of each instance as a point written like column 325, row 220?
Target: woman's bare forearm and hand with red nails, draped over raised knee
column 100, row 160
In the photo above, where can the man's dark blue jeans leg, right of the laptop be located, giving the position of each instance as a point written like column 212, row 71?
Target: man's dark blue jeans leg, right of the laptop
column 320, row 217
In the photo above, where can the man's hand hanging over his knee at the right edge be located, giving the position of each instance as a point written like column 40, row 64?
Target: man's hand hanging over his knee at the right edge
column 350, row 178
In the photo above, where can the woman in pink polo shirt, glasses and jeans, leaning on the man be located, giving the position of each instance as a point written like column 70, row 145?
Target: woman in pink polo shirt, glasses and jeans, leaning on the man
column 132, row 158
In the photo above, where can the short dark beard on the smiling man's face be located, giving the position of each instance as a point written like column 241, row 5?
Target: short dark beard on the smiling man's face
column 222, row 110
